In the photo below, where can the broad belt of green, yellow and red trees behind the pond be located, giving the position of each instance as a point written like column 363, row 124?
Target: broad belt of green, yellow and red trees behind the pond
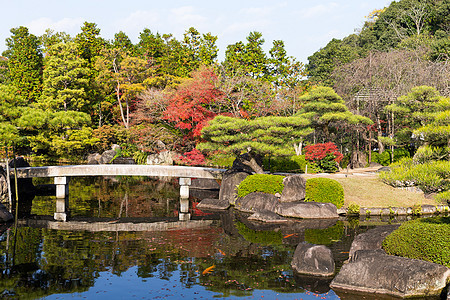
column 64, row 97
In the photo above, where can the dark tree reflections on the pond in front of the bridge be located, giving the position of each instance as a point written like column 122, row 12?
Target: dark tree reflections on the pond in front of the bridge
column 50, row 261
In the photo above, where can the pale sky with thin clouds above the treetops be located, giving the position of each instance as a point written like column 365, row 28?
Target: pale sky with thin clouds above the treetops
column 305, row 26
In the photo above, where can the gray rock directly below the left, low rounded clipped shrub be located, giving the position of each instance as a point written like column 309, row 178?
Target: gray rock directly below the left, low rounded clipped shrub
column 257, row 202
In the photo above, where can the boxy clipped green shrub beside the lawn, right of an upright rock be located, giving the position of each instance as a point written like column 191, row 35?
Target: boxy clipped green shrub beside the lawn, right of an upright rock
column 324, row 190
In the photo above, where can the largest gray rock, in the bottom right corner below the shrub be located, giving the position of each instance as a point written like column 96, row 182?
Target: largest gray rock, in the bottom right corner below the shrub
column 373, row 271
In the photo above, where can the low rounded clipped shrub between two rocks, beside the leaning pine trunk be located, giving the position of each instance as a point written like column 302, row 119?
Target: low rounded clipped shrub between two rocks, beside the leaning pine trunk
column 264, row 183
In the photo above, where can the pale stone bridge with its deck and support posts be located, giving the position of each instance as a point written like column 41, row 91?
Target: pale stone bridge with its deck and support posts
column 62, row 174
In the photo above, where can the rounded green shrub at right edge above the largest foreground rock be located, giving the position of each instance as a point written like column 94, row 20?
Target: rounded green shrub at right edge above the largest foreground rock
column 427, row 239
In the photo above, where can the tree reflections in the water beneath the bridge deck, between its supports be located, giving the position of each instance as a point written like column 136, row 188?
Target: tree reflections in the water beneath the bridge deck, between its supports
column 115, row 197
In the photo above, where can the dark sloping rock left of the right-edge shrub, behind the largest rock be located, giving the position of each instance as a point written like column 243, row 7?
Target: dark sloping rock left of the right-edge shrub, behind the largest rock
column 371, row 239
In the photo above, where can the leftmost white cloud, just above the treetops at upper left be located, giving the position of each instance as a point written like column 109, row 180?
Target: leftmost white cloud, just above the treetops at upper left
column 68, row 25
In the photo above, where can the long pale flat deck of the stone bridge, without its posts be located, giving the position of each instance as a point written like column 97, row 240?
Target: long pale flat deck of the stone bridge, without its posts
column 120, row 170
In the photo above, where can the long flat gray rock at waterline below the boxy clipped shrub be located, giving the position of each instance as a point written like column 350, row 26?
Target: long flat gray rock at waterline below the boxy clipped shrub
column 307, row 210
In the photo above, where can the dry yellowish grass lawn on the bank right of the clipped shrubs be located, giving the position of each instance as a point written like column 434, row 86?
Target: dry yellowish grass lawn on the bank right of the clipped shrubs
column 369, row 191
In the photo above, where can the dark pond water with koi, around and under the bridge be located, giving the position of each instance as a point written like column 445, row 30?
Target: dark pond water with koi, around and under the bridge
column 124, row 241
